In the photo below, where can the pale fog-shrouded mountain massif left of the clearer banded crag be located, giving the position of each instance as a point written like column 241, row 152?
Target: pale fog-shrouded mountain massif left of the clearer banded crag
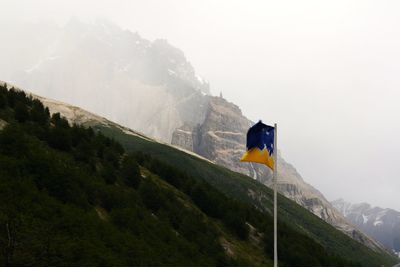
column 130, row 75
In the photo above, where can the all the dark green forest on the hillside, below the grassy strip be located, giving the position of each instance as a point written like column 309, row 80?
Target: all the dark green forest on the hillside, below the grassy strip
column 69, row 195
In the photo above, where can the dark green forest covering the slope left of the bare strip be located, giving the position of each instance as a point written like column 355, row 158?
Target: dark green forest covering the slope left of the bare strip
column 70, row 196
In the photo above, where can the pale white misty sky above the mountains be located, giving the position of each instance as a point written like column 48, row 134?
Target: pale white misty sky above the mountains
column 326, row 71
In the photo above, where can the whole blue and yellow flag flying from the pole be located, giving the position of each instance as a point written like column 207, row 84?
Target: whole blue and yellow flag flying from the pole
column 260, row 145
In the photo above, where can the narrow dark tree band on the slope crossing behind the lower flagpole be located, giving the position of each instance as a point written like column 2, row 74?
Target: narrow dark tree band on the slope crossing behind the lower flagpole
column 296, row 249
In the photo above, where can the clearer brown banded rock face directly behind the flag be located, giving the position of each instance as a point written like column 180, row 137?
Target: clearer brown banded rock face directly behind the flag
column 221, row 138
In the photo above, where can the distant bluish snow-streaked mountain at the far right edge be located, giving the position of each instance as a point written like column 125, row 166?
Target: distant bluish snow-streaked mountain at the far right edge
column 379, row 223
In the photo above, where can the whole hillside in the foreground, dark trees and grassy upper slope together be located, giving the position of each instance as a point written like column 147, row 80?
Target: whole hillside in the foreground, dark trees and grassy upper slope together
column 94, row 196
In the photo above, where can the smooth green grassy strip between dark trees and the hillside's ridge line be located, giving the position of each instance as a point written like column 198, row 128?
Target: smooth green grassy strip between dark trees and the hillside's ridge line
column 246, row 189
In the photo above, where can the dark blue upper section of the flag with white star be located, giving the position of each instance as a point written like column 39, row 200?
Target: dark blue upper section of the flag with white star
column 261, row 136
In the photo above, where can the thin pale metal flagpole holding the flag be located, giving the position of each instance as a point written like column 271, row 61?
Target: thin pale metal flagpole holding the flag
column 275, row 178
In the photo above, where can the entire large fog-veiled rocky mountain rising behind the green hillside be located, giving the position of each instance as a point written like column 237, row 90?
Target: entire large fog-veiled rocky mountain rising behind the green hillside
column 151, row 87
